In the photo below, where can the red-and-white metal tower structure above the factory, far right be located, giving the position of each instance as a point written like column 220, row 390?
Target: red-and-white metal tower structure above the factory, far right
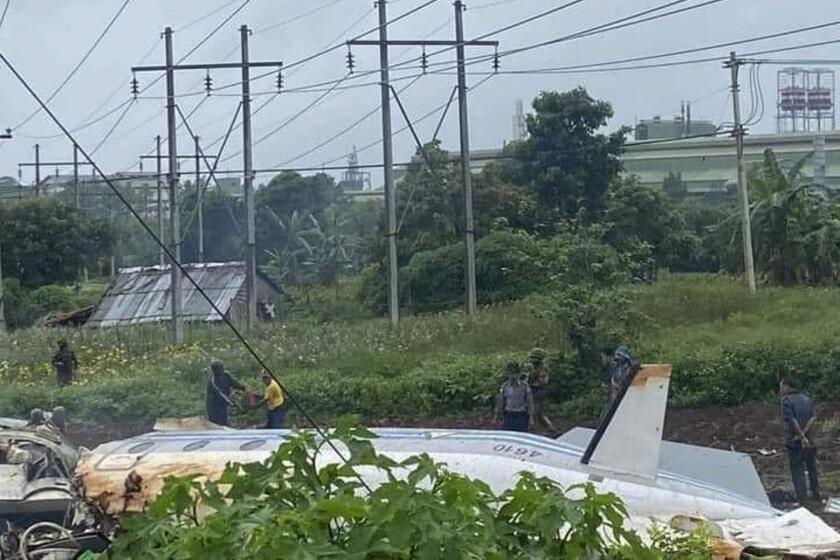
column 806, row 99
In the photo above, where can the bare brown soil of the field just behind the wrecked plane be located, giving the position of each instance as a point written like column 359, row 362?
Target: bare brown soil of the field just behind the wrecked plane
column 752, row 429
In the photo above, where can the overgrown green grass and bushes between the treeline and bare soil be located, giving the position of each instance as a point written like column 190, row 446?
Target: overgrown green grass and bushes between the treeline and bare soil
column 727, row 348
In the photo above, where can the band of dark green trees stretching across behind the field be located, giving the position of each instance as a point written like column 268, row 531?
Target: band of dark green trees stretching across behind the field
column 553, row 211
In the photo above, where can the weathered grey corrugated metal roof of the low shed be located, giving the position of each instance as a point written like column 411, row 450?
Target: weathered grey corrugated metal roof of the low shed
column 143, row 294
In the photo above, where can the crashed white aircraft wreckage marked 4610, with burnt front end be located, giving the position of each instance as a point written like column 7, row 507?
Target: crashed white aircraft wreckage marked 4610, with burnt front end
column 53, row 497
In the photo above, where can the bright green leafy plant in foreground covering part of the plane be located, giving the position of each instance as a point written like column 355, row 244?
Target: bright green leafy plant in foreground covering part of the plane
column 291, row 507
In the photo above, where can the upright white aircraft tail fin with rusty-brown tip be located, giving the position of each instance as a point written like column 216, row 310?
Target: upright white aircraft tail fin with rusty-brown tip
column 630, row 436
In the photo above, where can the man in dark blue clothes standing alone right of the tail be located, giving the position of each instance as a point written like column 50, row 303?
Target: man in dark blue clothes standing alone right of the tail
column 799, row 418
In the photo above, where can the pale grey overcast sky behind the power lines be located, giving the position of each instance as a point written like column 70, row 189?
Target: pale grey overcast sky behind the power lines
column 46, row 38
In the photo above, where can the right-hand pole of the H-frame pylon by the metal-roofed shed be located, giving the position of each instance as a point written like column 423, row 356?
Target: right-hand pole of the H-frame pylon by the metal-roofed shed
column 251, row 254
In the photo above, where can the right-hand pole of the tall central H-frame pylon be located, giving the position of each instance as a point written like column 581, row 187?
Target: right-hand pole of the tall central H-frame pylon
column 466, row 173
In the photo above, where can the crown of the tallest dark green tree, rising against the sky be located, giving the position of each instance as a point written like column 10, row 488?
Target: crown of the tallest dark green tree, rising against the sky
column 566, row 162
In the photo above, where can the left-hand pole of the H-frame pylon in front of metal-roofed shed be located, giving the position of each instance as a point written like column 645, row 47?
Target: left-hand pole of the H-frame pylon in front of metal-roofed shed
column 174, row 218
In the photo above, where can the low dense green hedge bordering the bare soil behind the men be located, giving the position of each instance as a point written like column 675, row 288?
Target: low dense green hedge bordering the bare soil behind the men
column 449, row 385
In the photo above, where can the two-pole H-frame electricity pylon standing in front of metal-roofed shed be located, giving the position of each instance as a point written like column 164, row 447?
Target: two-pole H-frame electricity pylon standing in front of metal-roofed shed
column 170, row 68
